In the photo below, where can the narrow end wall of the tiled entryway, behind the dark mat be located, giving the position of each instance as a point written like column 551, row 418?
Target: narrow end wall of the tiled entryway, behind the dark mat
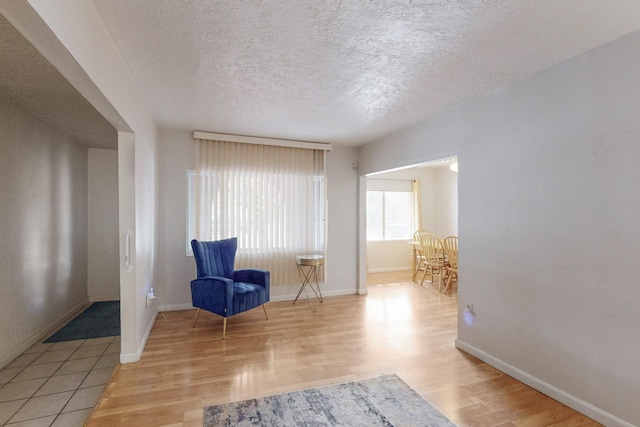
column 103, row 278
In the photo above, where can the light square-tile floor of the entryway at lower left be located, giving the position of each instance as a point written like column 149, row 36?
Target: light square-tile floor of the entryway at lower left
column 58, row 384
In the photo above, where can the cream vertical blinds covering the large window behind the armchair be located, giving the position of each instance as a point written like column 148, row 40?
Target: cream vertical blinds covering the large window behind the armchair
column 270, row 197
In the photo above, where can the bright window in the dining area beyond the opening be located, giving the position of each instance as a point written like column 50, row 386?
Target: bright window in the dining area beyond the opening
column 389, row 210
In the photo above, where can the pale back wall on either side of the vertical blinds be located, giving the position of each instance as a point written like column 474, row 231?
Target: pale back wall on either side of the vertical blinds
column 176, row 269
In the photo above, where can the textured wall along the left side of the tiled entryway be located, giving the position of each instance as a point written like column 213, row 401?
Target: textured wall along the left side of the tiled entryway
column 43, row 223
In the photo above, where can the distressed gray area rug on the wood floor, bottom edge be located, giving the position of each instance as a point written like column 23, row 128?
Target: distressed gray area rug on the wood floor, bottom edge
column 380, row 401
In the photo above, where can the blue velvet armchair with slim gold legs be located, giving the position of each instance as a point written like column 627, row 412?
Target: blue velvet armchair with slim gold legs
column 222, row 290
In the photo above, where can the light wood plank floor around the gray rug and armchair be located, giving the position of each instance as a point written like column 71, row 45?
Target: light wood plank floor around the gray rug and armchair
column 398, row 328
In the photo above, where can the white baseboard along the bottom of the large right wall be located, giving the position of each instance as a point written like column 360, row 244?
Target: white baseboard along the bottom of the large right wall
column 561, row 396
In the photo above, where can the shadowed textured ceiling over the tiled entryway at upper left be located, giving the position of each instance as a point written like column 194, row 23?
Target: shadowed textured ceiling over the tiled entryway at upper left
column 30, row 81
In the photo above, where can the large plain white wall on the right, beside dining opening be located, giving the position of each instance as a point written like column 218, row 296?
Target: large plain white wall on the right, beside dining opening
column 549, row 226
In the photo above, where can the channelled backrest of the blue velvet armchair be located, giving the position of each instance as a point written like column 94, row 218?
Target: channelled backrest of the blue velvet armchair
column 215, row 258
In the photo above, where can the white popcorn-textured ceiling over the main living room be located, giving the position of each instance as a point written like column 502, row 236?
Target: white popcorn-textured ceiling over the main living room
column 343, row 72
